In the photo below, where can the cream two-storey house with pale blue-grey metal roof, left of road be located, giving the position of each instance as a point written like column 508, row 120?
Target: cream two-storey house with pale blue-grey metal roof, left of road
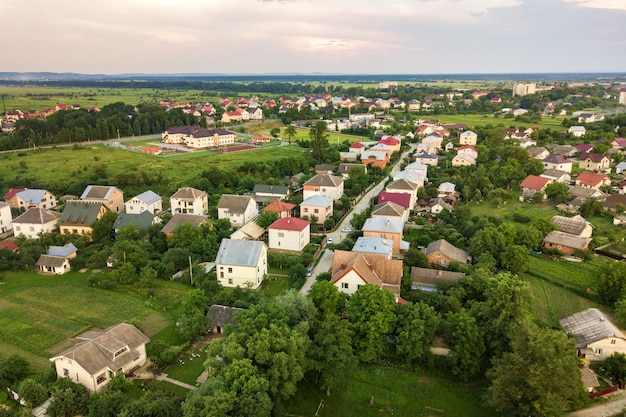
column 241, row 263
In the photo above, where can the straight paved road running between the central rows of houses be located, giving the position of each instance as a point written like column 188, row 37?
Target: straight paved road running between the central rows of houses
column 326, row 262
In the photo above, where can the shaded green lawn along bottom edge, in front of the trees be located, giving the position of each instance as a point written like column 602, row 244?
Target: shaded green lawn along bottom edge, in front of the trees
column 396, row 391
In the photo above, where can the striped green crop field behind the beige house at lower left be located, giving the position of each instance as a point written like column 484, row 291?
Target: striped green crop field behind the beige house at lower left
column 39, row 314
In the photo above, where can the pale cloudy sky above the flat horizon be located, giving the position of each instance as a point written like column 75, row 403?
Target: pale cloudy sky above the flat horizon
column 309, row 36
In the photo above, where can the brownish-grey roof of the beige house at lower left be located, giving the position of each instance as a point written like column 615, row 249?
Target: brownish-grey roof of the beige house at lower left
column 96, row 350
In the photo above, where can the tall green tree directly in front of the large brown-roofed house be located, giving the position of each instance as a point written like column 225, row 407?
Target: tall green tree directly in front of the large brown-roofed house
column 370, row 310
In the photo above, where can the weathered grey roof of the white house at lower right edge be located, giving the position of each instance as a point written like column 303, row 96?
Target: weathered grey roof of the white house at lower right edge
column 589, row 326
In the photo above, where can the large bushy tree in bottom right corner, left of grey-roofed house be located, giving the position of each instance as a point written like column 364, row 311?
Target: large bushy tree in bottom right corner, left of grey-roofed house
column 538, row 377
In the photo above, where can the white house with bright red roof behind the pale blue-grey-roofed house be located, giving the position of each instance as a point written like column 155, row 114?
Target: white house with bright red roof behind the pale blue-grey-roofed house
column 289, row 234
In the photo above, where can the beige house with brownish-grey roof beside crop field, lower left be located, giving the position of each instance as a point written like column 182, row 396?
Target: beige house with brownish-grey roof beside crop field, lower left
column 99, row 355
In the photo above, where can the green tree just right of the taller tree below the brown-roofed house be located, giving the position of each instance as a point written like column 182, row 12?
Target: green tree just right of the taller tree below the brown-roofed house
column 417, row 324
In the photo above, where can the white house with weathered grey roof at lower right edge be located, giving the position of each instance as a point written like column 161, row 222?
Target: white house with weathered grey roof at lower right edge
column 596, row 336
